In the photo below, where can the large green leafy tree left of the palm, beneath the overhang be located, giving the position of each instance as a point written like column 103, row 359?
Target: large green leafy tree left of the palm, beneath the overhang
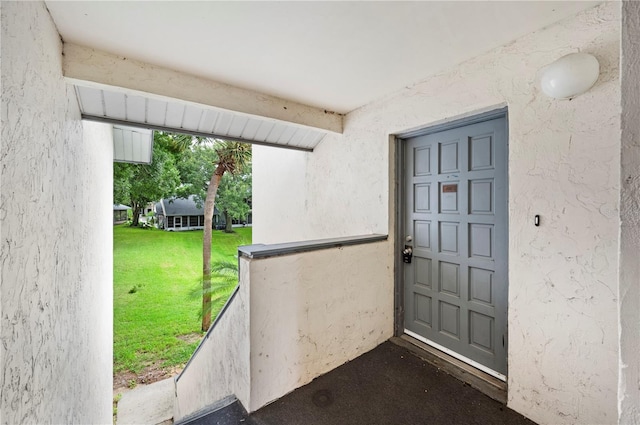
column 139, row 184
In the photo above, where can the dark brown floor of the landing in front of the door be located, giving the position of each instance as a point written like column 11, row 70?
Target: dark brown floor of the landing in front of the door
column 386, row 386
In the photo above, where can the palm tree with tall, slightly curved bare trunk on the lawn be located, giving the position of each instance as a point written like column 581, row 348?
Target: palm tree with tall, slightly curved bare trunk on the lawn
column 233, row 157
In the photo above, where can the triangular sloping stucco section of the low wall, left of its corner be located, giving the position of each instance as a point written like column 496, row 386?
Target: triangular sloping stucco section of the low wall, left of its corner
column 220, row 367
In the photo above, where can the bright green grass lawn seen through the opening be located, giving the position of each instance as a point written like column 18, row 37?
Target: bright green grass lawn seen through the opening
column 155, row 275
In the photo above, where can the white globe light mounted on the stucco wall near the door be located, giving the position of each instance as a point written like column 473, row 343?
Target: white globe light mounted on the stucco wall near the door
column 570, row 75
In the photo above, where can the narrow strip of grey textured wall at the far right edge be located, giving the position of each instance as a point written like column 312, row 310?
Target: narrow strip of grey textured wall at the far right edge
column 629, row 386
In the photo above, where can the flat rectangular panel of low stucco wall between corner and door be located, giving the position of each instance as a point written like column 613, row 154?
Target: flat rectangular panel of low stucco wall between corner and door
column 314, row 311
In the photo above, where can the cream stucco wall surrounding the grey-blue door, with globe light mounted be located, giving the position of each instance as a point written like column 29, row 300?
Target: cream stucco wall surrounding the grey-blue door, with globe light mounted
column 564, row 164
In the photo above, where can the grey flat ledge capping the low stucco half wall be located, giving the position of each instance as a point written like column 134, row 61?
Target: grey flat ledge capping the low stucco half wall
column 274, row 250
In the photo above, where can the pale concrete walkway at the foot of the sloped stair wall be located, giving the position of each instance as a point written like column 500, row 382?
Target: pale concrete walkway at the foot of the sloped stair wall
column 147, row 405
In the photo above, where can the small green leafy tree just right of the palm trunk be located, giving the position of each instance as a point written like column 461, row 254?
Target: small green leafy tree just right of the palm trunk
column 233, row 197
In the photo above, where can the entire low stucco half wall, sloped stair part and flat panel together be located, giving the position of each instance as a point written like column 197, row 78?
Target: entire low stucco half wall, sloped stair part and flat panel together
column 309, row 313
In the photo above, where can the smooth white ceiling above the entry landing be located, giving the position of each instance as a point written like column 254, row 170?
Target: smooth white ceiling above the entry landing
column 333, row 55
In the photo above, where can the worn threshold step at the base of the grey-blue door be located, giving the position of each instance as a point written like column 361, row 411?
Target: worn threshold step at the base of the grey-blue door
column 482, row 381
